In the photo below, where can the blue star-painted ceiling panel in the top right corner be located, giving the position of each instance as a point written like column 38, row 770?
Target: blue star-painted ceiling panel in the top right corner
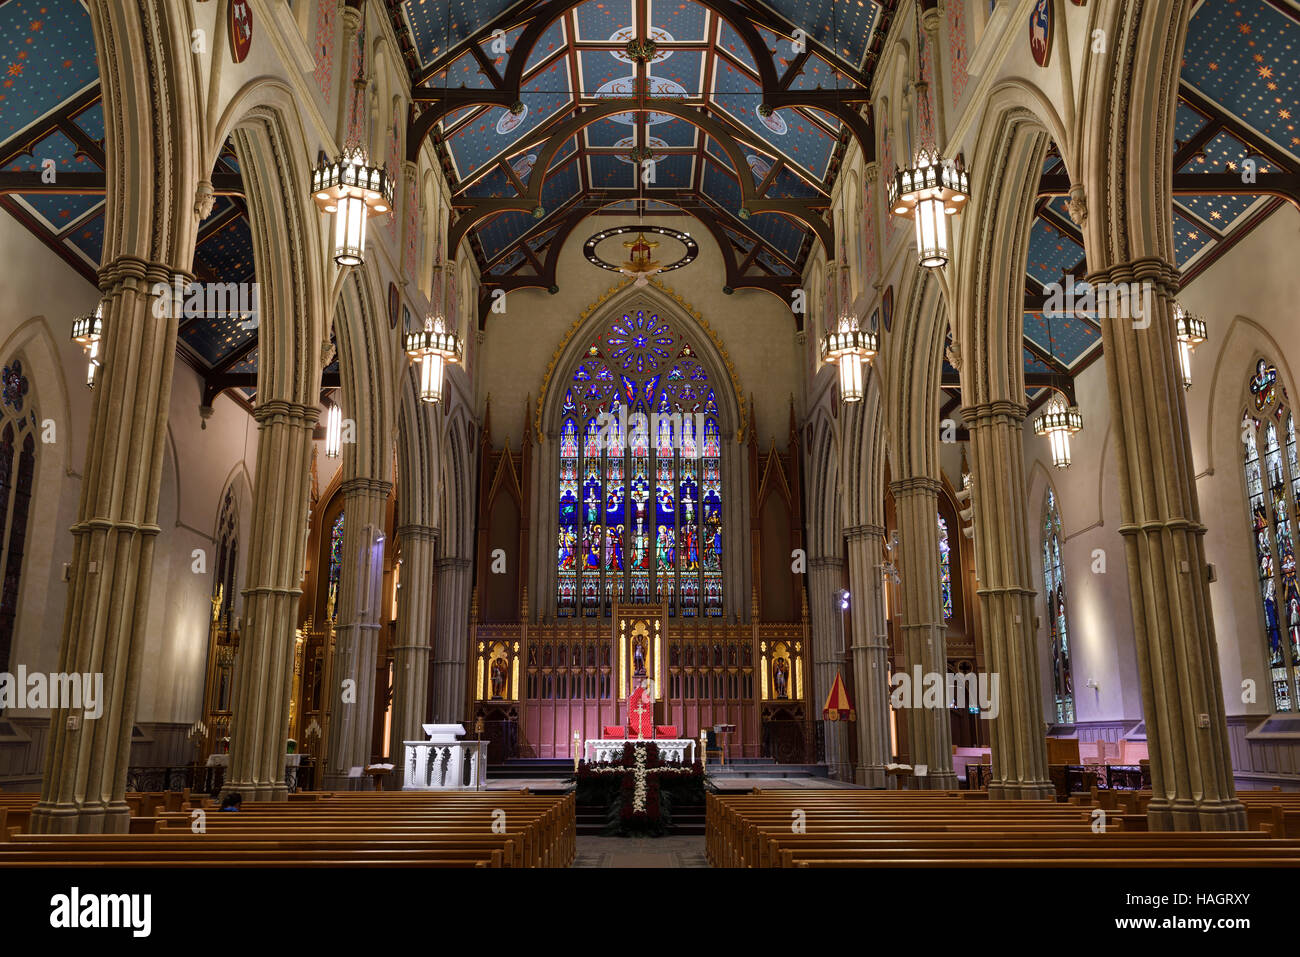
column 1246, row 57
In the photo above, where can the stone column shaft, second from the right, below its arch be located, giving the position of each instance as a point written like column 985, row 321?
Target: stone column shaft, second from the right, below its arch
column 1007, row 600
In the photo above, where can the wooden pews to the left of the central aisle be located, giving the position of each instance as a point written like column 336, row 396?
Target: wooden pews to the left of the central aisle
column 328, row 830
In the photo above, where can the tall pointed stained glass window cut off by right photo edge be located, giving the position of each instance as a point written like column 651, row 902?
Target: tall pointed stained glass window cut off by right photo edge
column 1272, row 492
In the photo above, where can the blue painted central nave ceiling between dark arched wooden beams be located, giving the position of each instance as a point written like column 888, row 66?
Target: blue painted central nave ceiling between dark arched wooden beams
column 700, row 62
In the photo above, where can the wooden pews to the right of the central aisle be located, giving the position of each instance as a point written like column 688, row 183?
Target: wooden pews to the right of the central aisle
column 918, row 829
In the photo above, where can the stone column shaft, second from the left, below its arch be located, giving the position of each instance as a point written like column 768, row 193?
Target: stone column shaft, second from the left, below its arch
column 265, row 664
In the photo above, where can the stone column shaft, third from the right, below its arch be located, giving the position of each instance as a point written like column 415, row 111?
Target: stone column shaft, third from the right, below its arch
column 922, row 625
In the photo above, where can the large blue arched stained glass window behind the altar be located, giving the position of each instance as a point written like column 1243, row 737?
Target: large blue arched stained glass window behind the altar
column 640, row 422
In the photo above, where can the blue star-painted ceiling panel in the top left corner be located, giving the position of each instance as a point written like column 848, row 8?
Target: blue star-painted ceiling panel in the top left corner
column 47, row 51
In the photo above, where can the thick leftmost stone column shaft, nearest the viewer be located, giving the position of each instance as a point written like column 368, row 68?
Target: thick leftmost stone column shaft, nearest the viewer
column 109, row 600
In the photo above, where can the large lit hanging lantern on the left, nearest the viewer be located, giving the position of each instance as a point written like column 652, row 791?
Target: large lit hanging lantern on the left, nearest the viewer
column 350, row 188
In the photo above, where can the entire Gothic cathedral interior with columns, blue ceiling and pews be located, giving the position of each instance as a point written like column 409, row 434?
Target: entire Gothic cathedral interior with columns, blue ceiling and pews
column 881, row 401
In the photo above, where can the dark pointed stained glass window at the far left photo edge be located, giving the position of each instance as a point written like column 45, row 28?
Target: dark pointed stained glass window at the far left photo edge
column 18, row 473
